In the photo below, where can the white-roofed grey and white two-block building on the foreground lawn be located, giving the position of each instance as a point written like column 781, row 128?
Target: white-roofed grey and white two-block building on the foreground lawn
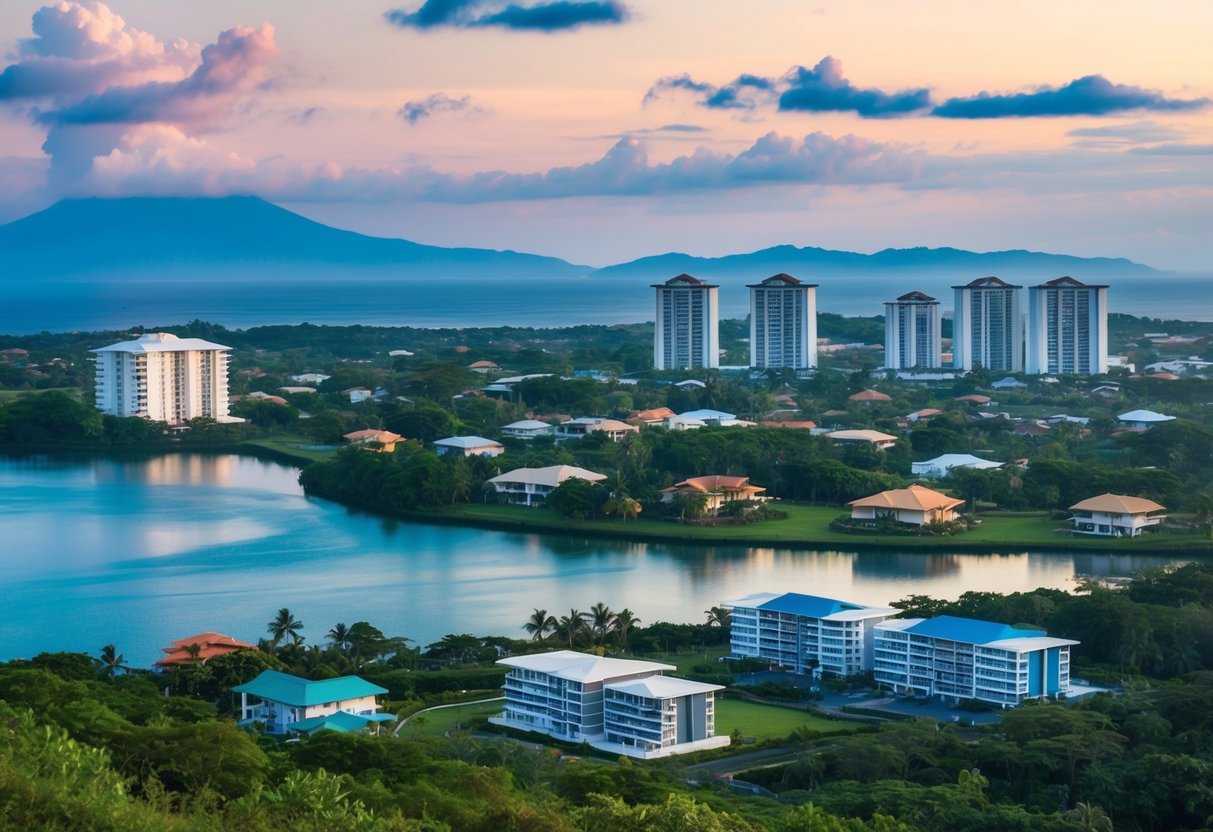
column 619, row 705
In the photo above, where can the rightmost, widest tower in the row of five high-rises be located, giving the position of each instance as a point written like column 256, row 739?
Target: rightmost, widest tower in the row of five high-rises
column 1067, row 328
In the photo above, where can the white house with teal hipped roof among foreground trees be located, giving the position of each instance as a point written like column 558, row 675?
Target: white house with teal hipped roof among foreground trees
column 287, row 704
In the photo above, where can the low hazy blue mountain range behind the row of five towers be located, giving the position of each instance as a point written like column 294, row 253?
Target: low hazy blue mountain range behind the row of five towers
column 813, row 265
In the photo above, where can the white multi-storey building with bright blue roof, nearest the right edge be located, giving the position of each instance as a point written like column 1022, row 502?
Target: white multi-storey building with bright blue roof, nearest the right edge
column 963, row 659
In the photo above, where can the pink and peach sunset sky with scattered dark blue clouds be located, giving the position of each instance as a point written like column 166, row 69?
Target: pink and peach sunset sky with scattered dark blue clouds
column 606, row 130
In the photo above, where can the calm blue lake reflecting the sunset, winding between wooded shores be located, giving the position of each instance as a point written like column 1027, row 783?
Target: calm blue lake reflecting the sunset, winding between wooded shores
column 140, row 552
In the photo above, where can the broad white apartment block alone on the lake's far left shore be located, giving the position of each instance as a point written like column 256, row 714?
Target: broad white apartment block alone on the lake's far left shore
column 164, row 379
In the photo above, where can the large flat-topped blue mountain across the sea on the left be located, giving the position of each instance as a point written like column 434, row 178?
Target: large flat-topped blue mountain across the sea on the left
column 229, row 238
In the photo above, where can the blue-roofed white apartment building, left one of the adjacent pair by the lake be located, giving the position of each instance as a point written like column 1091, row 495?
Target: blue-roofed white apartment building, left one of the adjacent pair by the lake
column 806, row 634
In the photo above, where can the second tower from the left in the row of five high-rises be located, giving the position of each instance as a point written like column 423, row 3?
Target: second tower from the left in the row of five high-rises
column 783, row 323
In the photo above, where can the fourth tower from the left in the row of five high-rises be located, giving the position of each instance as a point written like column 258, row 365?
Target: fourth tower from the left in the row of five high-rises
column 988, row 327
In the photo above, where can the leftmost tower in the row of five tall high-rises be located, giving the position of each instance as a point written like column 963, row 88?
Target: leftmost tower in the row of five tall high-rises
column 687, row 333
